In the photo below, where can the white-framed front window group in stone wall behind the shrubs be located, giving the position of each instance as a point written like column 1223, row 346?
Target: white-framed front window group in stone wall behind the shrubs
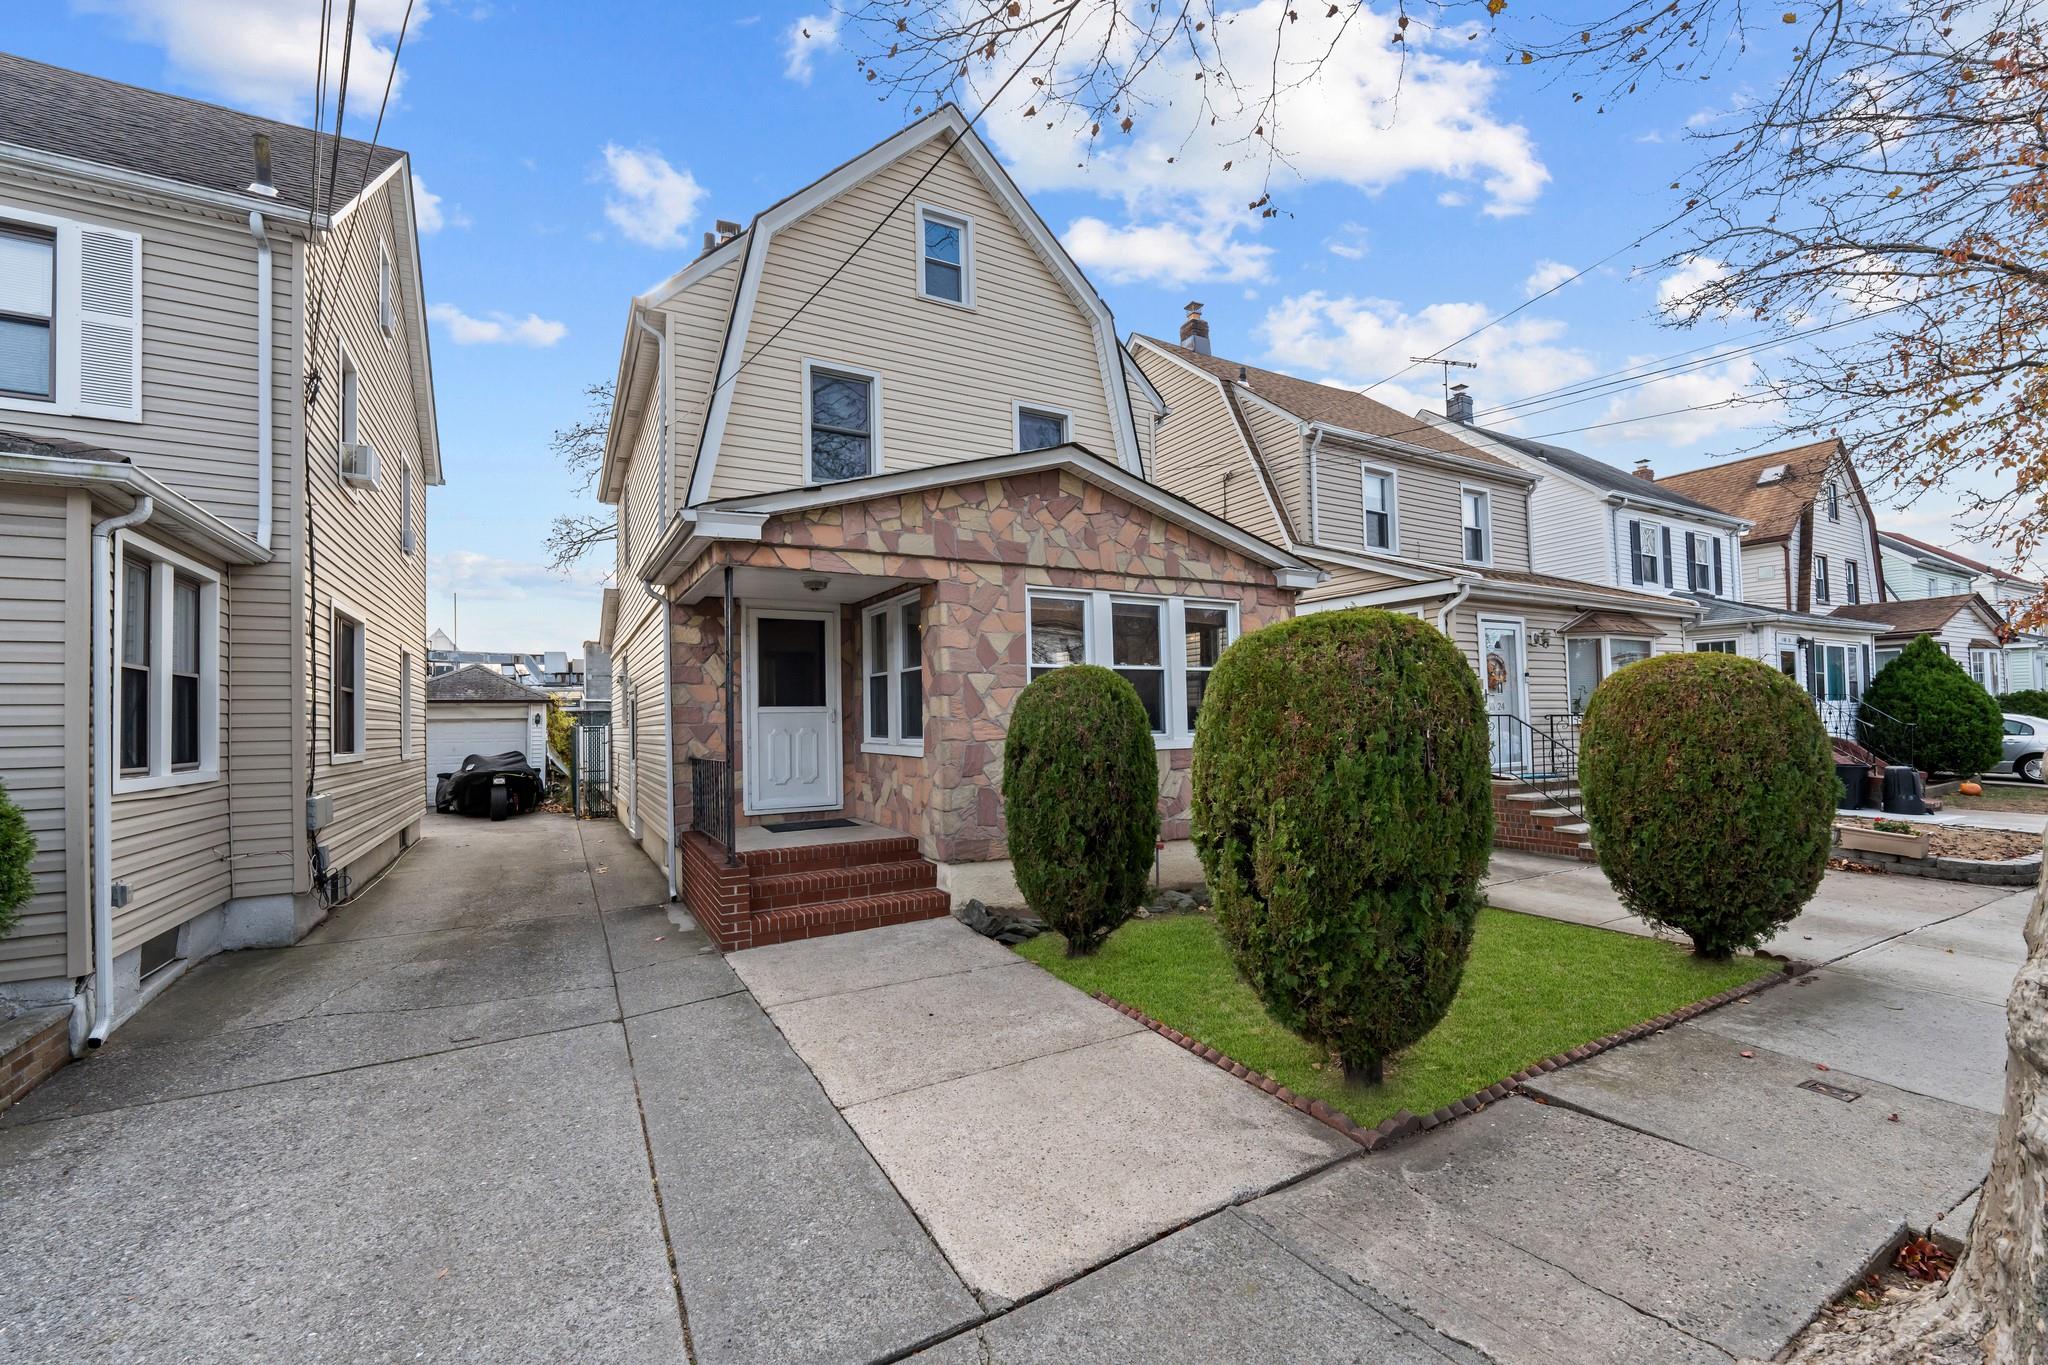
column 1129, row 633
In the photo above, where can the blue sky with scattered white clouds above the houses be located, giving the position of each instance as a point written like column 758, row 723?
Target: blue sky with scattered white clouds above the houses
column 574, row 157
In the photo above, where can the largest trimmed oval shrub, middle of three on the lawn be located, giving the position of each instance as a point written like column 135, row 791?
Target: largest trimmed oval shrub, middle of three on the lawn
column 1345, row 816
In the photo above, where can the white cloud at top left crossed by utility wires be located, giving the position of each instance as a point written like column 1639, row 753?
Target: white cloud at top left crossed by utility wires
column 263, row 54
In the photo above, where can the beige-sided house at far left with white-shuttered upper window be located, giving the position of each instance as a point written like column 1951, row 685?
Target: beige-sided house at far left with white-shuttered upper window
column 214, row 590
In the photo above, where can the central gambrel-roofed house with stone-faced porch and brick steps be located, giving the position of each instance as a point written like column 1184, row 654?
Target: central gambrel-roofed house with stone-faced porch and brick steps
column 880, row 461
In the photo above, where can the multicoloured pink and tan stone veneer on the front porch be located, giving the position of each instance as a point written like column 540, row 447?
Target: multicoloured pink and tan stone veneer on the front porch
column 976, row 547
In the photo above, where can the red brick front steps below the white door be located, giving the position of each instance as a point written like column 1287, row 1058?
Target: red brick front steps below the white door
column 808, row 891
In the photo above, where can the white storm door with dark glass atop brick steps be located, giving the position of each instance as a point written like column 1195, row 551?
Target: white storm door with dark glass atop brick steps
column 792, row 738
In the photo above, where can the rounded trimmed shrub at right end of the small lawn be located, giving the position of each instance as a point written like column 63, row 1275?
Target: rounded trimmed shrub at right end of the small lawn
column 1711, row 789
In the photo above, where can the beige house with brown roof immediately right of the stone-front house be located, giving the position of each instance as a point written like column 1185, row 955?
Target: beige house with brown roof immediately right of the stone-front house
column 1408, row 515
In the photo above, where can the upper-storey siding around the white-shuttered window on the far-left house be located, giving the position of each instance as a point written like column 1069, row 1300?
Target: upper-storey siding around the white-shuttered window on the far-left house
column 198, row 427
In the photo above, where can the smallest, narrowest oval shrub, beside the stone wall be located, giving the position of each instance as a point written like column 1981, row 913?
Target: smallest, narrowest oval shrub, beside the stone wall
column 1082, row 801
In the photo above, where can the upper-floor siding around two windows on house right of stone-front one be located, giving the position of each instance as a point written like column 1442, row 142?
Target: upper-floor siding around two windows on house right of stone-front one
column 1428, row 507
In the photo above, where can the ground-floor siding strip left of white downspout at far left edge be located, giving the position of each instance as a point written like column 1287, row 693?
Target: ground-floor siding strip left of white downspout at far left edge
column 44, row 728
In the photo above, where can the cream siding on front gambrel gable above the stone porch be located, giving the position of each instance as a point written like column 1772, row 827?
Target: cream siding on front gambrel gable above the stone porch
column 949, row 376
